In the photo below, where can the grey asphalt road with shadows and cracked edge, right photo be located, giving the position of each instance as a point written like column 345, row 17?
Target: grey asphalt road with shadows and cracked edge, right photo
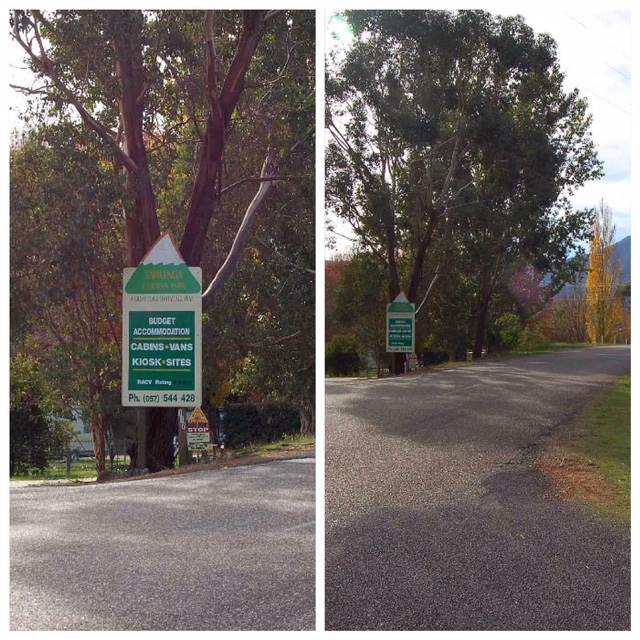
column 436, row 517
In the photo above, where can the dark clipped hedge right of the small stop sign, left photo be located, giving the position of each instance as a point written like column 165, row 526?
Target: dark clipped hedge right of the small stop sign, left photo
column 250, row 423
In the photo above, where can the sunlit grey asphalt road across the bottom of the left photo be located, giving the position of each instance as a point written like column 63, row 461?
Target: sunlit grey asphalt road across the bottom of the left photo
column 219, row 550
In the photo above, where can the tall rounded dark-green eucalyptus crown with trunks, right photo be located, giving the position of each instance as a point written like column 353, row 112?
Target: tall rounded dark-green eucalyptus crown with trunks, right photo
column 455, row 120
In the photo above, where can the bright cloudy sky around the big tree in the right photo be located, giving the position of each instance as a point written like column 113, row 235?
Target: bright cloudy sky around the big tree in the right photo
column 594, row 51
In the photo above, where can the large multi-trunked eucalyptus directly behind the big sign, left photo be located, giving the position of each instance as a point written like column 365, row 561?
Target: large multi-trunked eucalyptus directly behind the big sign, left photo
column 189, row 111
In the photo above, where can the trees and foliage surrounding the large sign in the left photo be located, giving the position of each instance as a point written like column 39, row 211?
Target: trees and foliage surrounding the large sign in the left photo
column 232, row 178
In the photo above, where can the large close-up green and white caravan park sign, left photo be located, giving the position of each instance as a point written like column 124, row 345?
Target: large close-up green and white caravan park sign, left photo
column 162, row 318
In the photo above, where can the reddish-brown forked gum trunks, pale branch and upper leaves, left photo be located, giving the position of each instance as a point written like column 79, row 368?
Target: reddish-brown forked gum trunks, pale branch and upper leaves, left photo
column 139, row 80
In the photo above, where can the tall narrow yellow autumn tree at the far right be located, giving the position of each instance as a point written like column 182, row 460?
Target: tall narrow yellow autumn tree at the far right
column 604, row 312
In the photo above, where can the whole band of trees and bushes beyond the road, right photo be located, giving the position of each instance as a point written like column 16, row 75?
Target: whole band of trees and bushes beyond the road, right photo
column 453, row 174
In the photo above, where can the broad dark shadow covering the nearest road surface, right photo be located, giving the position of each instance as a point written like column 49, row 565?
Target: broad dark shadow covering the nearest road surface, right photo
column 517, row 559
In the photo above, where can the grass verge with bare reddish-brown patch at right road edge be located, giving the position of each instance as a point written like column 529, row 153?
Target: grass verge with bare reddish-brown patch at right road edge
column 592, row 460
